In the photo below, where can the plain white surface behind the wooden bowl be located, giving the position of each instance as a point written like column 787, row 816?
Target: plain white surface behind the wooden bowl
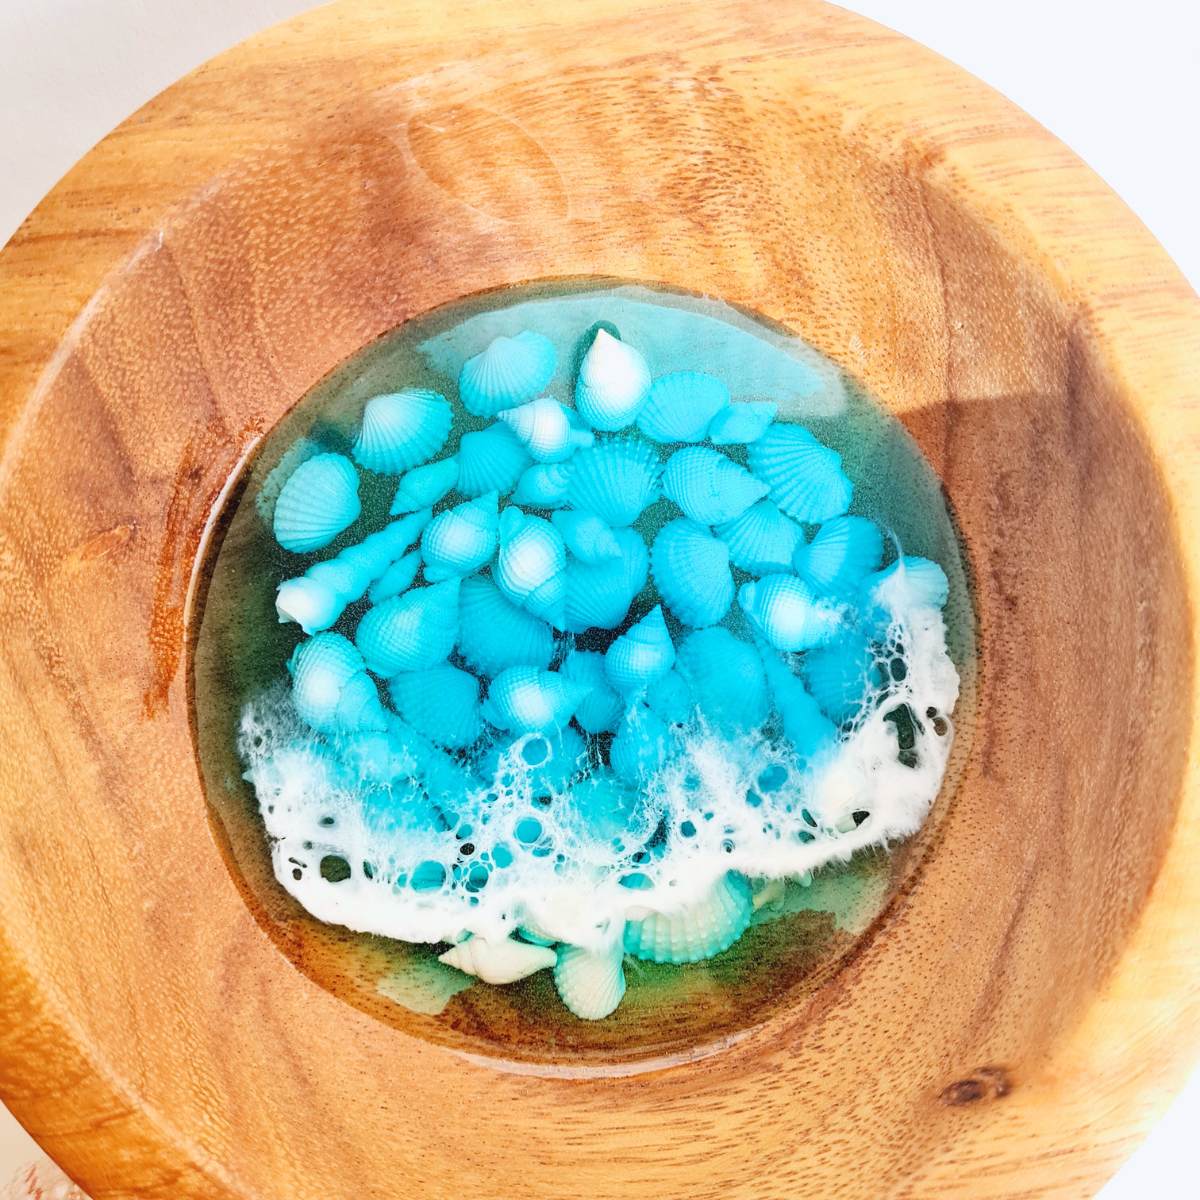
column 1120, row 83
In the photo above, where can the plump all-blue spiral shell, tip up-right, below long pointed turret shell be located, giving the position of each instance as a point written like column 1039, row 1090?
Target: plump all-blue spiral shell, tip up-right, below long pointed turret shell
column 411, row 632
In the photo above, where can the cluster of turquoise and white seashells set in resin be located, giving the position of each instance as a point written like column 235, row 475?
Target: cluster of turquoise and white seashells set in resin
column 586, row 590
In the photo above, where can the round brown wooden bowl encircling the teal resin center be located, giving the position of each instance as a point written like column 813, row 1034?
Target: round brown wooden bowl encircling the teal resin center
column 1029, row 1001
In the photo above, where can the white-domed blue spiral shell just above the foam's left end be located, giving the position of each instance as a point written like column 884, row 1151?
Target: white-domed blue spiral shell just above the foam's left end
column 331, row 689
